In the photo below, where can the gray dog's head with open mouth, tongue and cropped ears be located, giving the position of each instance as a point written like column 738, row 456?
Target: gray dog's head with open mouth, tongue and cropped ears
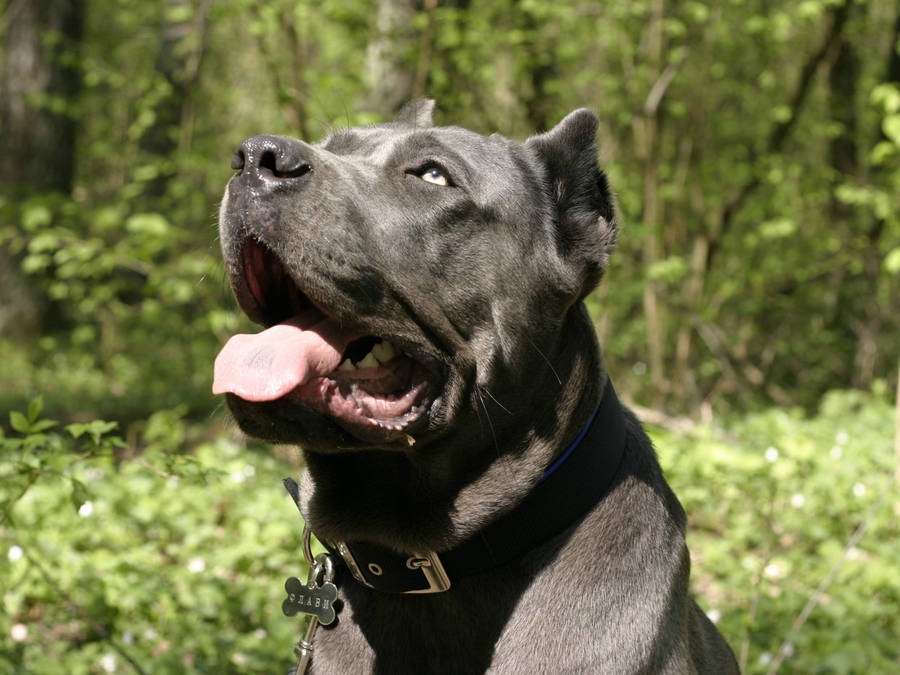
column 410, row 278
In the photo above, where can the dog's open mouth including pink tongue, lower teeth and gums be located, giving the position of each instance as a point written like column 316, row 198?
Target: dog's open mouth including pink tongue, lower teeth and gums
column 364, row 383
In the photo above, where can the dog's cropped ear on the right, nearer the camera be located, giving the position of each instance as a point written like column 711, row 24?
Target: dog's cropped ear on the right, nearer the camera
column 586, row 220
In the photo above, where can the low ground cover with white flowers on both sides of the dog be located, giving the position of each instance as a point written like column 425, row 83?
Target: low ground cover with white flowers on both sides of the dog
column 176, row 554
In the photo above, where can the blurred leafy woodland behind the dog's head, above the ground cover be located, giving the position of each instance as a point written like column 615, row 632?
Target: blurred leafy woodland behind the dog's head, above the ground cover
column 799, row 282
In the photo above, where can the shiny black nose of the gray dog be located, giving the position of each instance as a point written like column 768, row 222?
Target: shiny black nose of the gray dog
column 272, row 159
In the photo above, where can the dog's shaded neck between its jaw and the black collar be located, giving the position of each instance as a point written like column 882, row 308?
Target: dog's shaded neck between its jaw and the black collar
column 434, row 500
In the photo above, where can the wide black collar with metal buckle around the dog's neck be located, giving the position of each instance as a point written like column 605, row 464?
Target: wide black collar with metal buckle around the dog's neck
column 576, row 481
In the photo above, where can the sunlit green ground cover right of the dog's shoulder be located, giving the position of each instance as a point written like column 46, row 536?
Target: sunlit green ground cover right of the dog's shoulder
column 775, row 506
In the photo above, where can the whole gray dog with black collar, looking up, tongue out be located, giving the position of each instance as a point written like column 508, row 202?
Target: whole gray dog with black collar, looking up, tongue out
column 494, row 507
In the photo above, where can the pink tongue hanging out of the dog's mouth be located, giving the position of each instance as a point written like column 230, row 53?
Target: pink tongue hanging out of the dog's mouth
column 270, row 364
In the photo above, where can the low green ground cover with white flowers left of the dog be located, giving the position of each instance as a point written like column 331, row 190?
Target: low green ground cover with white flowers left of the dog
column 175, row 561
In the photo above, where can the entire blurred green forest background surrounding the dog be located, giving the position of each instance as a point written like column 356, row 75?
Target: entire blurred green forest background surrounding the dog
column 751, row 312
